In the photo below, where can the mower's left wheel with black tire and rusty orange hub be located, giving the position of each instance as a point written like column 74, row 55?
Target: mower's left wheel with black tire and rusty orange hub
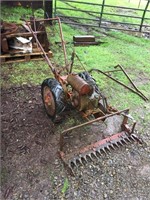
column 53, row 97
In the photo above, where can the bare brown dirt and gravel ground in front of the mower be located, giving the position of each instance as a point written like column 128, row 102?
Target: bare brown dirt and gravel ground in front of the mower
column 32, row 169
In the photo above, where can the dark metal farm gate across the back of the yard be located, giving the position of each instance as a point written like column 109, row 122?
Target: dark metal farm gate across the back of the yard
column 68, row 11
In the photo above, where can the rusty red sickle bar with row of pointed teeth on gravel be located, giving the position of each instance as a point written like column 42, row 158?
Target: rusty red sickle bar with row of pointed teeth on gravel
column 97, row 149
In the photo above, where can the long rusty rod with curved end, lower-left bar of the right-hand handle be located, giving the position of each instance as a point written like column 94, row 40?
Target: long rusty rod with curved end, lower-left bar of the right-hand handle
column 97, row 70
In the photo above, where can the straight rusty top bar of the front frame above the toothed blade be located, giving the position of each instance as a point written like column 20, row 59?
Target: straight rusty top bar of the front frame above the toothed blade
column 94, row 120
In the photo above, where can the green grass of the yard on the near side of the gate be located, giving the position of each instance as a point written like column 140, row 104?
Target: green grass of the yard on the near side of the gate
column 133, row 53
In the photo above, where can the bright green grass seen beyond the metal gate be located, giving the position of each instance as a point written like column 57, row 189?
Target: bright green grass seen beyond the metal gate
column 110, row 10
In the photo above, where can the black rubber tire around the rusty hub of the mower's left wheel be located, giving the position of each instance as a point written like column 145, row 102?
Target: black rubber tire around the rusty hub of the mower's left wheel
column 58, row 96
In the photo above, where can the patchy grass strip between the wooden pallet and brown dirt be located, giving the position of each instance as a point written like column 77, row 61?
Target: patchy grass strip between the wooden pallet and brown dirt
column 32, row 73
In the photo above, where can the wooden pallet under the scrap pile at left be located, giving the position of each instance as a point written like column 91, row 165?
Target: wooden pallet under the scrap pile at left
column 23, row 57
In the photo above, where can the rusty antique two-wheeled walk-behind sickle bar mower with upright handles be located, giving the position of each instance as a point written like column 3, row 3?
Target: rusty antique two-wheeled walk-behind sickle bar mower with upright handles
column 81, row 92
